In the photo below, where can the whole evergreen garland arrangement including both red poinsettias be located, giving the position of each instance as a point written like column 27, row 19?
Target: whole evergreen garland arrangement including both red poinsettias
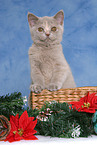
column 54, row 119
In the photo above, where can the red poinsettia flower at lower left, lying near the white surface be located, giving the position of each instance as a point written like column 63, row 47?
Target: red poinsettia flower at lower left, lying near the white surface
column 22, row 128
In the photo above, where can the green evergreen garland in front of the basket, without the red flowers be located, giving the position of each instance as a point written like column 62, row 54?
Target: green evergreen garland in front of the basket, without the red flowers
column 53, row 119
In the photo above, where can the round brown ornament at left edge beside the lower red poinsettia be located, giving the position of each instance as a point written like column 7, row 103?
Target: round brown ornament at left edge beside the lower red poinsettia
column 4, row 127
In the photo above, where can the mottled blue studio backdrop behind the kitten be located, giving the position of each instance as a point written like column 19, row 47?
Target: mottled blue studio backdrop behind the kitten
column 79, row 40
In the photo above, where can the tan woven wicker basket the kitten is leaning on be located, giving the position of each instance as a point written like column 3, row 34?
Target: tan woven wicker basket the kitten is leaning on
column 62, row 95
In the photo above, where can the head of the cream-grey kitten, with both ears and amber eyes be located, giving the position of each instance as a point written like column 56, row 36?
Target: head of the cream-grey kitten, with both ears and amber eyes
column 46, row 30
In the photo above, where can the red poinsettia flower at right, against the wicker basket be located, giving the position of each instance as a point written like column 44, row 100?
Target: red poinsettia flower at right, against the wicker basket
column 86, row 104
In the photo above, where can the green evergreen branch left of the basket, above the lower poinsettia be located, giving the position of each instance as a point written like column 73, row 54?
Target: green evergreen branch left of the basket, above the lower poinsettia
column 11, row 104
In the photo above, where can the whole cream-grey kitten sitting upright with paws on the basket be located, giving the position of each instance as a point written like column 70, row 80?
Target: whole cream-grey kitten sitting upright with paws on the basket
column 49, row 68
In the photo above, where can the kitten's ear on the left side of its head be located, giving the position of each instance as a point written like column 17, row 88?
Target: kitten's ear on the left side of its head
column 32, row 19
